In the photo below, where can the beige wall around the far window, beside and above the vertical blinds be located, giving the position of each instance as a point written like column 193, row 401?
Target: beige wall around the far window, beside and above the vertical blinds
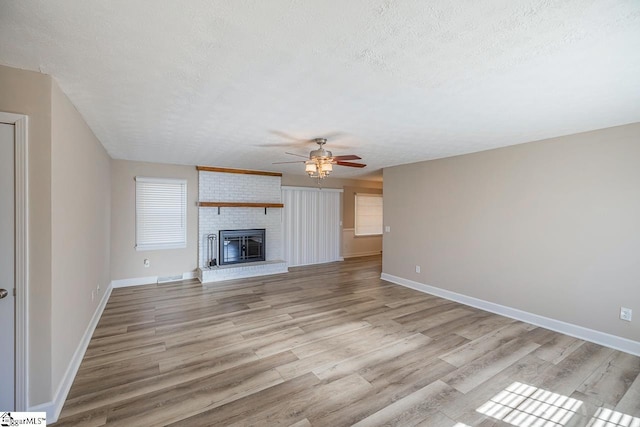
column 351, row 245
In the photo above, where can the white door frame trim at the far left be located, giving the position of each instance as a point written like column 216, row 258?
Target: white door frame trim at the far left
column 20, row 122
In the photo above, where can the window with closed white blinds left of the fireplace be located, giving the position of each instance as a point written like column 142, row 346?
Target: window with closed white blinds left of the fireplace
column 161, row 213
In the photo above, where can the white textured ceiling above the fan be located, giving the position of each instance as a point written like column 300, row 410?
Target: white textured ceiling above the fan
column 227, row 83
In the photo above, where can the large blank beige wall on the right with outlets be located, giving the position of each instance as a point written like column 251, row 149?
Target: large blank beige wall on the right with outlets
column 549, row 227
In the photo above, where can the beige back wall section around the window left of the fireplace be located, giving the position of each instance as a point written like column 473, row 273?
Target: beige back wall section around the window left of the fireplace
column 126, row 262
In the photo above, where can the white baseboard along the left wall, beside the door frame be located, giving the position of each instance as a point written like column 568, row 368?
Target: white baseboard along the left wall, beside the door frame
column 54, row 407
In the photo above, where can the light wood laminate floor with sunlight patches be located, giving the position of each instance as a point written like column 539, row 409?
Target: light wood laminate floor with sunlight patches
column 334, row 345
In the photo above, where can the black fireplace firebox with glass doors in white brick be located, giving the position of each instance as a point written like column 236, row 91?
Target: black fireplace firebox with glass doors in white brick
column 239, row 246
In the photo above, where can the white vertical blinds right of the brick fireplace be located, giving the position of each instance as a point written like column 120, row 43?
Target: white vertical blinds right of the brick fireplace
column 311, row 225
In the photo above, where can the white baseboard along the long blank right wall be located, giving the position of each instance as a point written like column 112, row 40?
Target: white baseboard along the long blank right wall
column 602, row 338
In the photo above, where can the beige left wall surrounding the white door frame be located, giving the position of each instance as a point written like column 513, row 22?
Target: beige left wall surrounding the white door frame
column 68, row 224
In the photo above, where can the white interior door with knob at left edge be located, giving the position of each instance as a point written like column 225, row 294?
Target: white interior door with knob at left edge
column 7, row 266
